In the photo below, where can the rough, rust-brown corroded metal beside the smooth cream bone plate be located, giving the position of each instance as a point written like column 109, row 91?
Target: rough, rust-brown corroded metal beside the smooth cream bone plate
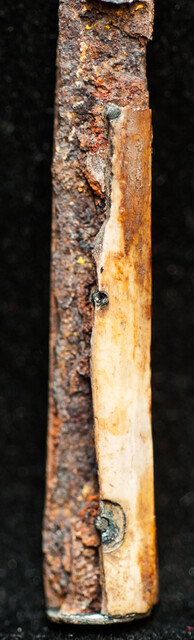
column 100, row 69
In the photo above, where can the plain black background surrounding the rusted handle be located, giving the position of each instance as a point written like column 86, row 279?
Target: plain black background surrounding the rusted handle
column 28, row 42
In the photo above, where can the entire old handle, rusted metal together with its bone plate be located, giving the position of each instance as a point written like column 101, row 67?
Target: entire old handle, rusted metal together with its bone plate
column 101, row 115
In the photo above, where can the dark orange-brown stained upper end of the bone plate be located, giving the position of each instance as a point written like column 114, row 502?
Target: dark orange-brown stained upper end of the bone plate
column 135, row 182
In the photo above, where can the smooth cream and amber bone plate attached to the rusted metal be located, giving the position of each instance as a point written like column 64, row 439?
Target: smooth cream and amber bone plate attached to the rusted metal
column 120, row 368
